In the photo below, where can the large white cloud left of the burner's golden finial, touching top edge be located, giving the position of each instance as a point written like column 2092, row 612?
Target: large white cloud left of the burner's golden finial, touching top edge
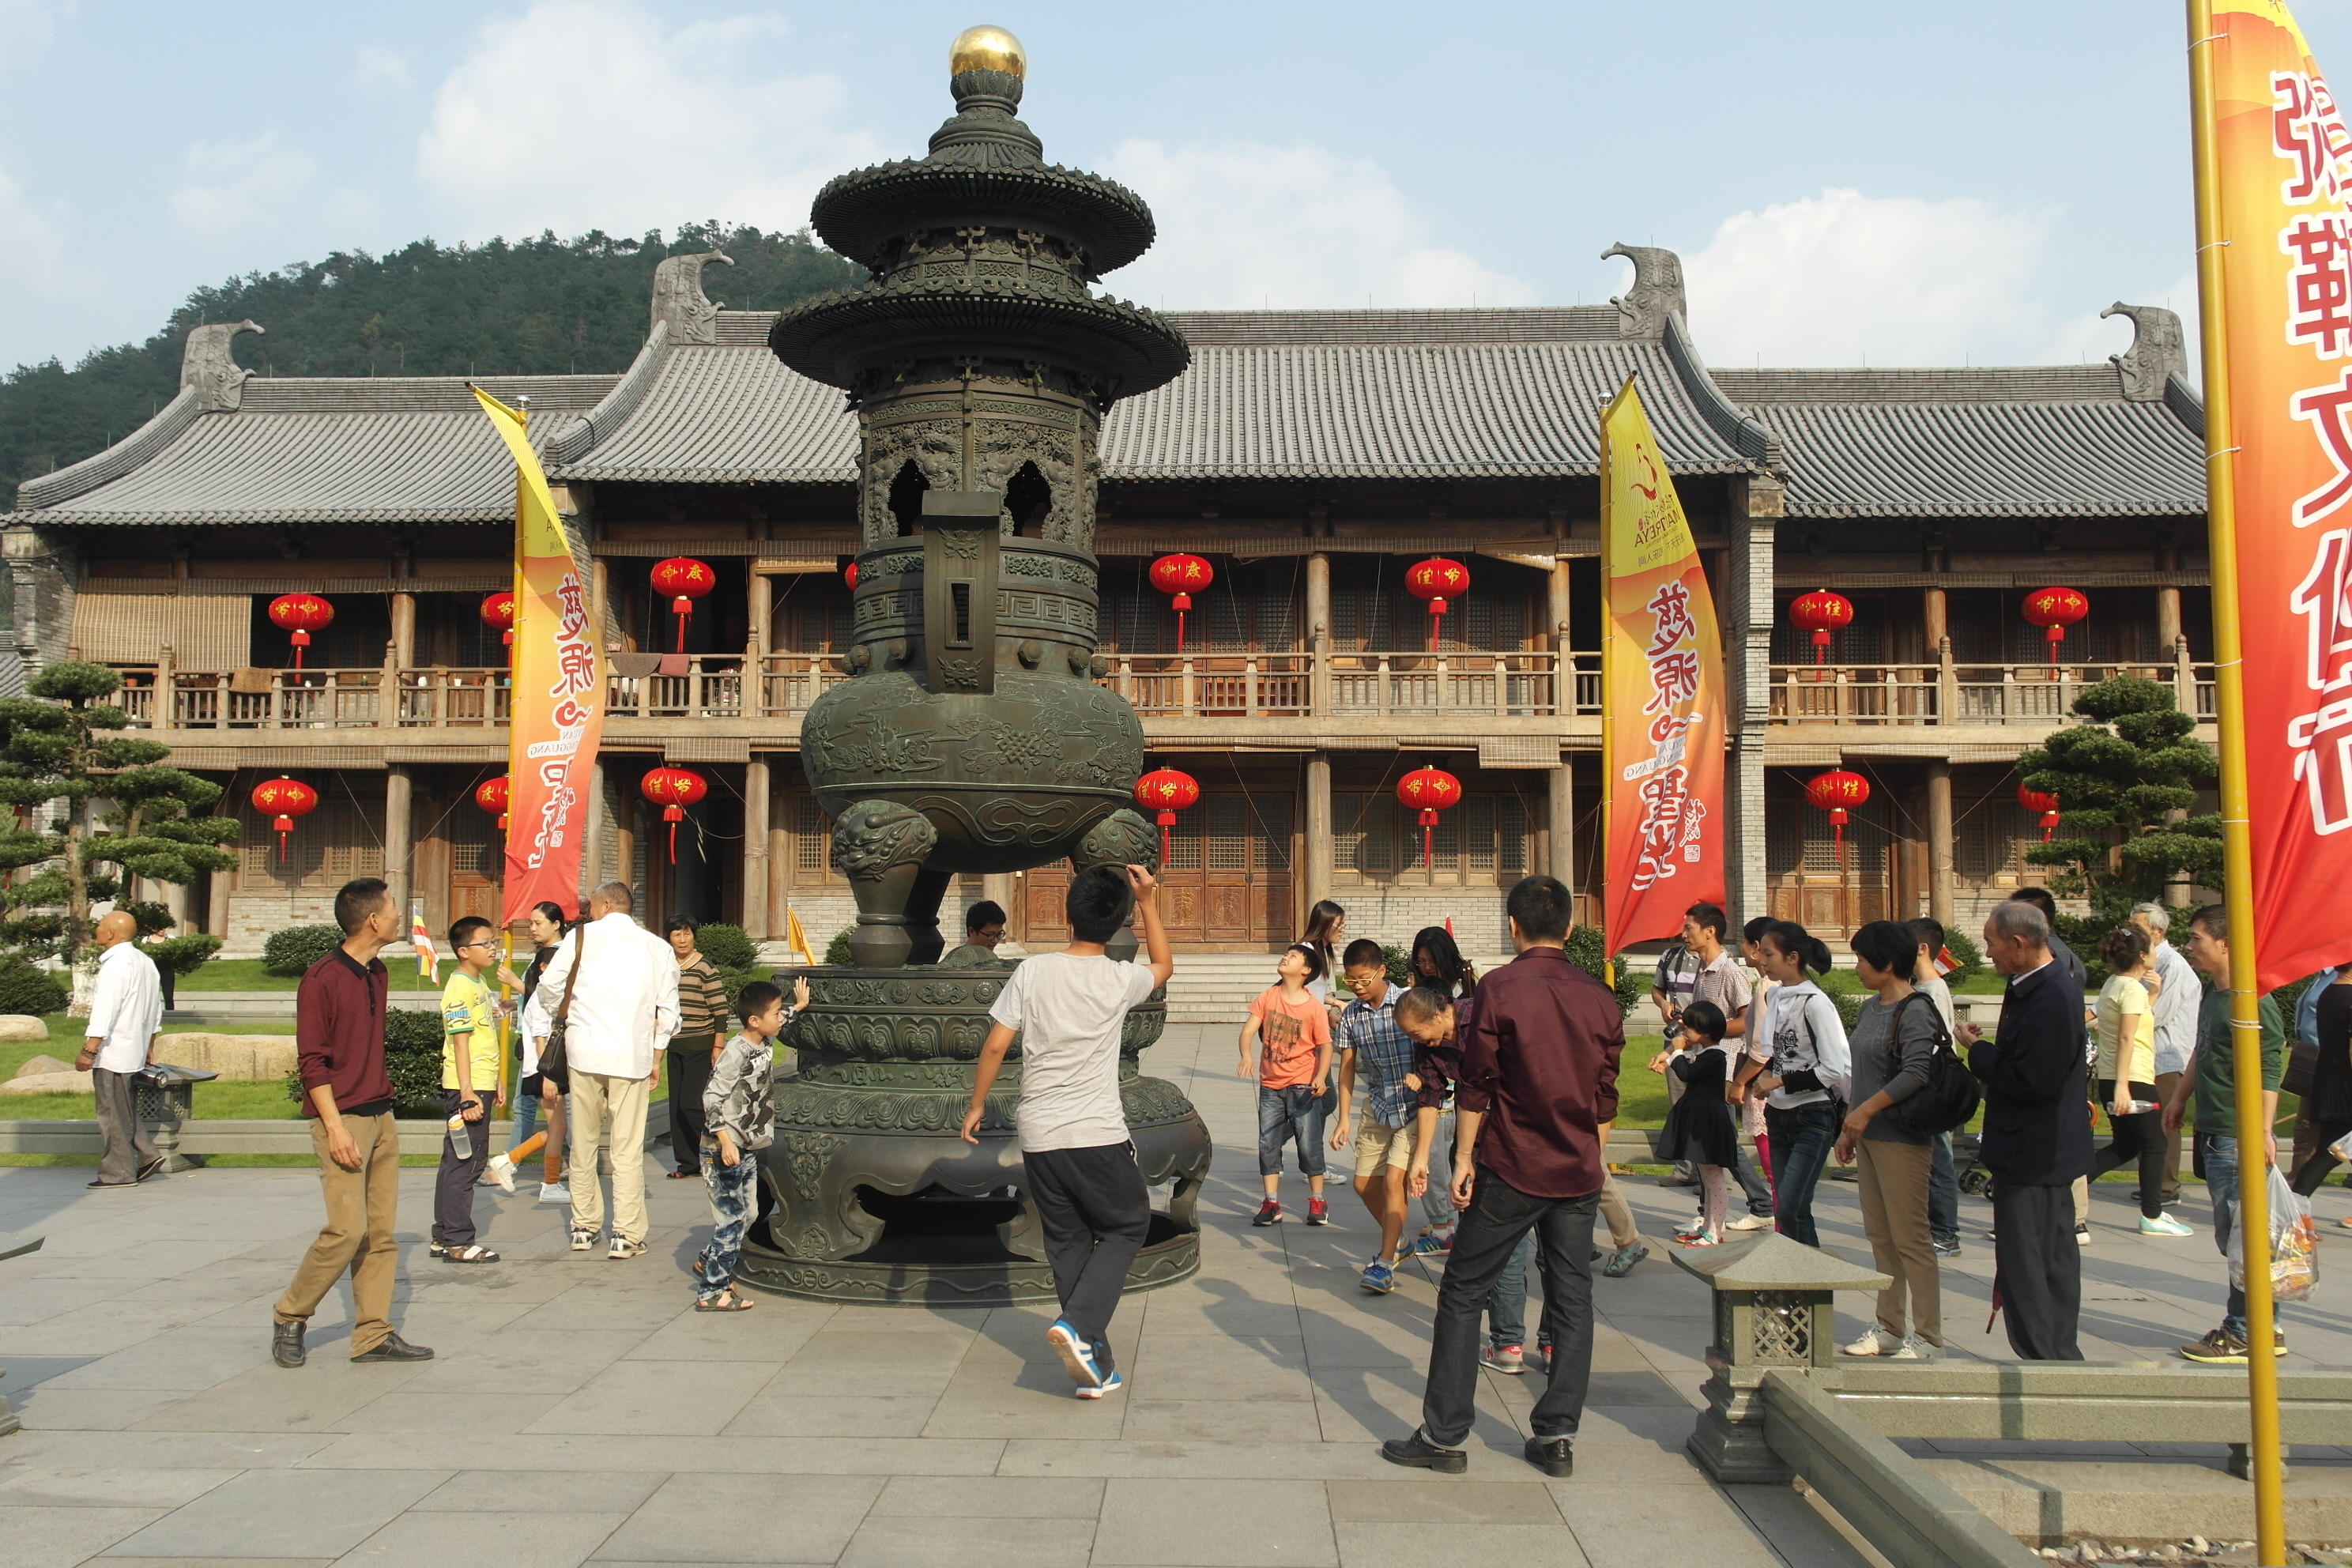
column 594, row 114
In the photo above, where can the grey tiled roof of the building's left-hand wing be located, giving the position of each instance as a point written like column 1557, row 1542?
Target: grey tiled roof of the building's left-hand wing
column 321, row 450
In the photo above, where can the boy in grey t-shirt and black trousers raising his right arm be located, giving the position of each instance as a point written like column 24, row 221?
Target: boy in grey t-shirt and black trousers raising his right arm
column 1081, row 1170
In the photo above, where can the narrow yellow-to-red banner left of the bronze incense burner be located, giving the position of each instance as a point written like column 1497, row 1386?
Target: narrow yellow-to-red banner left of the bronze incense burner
column 556, row 704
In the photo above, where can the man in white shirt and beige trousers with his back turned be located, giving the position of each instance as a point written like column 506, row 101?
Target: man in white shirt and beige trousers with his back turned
column 622, row 1017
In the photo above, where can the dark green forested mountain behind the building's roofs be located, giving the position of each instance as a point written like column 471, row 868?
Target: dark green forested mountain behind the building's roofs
column 530, row 307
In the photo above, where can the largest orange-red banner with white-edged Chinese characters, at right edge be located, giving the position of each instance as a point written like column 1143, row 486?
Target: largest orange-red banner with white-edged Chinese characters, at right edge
column 2285, row 194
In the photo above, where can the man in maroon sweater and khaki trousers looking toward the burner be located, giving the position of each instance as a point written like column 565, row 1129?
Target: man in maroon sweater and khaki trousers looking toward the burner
column 349, row 1099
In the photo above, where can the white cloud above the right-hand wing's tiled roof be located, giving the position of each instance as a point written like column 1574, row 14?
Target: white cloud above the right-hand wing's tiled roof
column 1847, row 279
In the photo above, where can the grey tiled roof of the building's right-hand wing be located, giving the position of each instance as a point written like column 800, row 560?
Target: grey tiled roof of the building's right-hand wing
column 1977, row 443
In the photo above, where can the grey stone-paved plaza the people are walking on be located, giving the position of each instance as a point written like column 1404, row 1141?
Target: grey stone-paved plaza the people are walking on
column 580, row 1409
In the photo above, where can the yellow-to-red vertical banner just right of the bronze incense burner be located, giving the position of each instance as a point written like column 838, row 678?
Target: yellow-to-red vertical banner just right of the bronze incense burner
column 1664, row 695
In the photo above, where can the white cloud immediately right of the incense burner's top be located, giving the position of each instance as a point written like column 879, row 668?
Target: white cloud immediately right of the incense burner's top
column 1248, row 227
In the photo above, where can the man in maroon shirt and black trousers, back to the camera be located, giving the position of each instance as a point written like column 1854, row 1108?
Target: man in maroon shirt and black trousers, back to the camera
column 1537, row 1090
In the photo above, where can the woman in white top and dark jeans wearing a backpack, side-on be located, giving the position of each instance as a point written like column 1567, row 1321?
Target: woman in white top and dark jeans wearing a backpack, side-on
column 1805, row 1078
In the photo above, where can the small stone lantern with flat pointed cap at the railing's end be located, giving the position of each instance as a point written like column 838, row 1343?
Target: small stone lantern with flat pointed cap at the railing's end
column 1775, row 1311
